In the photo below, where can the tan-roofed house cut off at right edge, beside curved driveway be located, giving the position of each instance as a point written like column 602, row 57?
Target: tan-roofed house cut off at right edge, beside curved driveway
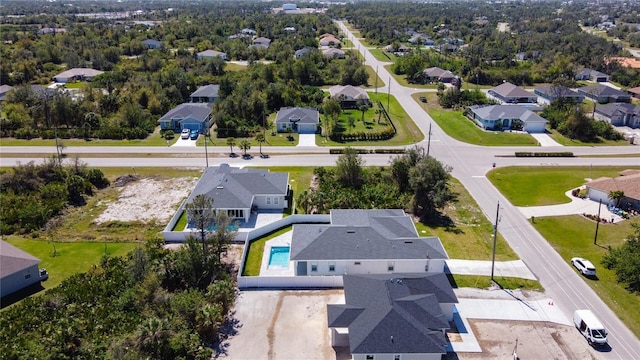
column 628, row 182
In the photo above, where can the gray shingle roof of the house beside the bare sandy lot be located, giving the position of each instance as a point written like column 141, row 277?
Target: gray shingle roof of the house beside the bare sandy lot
column 235, row 188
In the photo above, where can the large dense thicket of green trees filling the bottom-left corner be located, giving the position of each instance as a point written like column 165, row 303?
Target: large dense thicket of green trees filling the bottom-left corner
column 154, row 304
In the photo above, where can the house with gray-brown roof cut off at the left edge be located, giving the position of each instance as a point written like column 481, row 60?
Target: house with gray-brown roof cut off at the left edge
column 18, row 269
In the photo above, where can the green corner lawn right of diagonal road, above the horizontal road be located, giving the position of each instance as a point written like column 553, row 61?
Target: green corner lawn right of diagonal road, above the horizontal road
column 461, row 128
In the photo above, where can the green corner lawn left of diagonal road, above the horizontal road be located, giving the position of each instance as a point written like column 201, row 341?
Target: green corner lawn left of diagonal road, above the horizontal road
column 407, row 131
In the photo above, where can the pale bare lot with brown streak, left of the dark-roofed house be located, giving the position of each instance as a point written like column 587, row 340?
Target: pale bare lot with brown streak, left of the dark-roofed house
column 283, row 325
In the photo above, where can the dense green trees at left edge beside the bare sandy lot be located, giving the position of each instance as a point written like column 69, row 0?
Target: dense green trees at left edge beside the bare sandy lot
column 32, row 194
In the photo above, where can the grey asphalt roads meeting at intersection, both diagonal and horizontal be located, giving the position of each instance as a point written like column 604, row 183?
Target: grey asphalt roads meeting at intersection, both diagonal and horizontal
column 470, row 163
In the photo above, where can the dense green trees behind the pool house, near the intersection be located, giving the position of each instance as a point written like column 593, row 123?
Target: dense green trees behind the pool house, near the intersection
column 414, row 182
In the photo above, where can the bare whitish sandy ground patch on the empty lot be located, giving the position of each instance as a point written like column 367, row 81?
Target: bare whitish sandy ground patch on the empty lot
column 148, row 200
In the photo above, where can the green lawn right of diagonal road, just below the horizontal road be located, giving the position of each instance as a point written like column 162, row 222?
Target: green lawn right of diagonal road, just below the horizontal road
column 521, row 185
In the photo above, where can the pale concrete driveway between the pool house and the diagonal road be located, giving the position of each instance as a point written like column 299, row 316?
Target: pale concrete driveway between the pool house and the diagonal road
column 515, row 268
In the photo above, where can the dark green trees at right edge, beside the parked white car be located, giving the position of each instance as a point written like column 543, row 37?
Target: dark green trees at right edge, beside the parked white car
column 625, row 261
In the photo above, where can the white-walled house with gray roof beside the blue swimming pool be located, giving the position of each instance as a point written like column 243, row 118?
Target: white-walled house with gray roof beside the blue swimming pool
column 381, row 241
